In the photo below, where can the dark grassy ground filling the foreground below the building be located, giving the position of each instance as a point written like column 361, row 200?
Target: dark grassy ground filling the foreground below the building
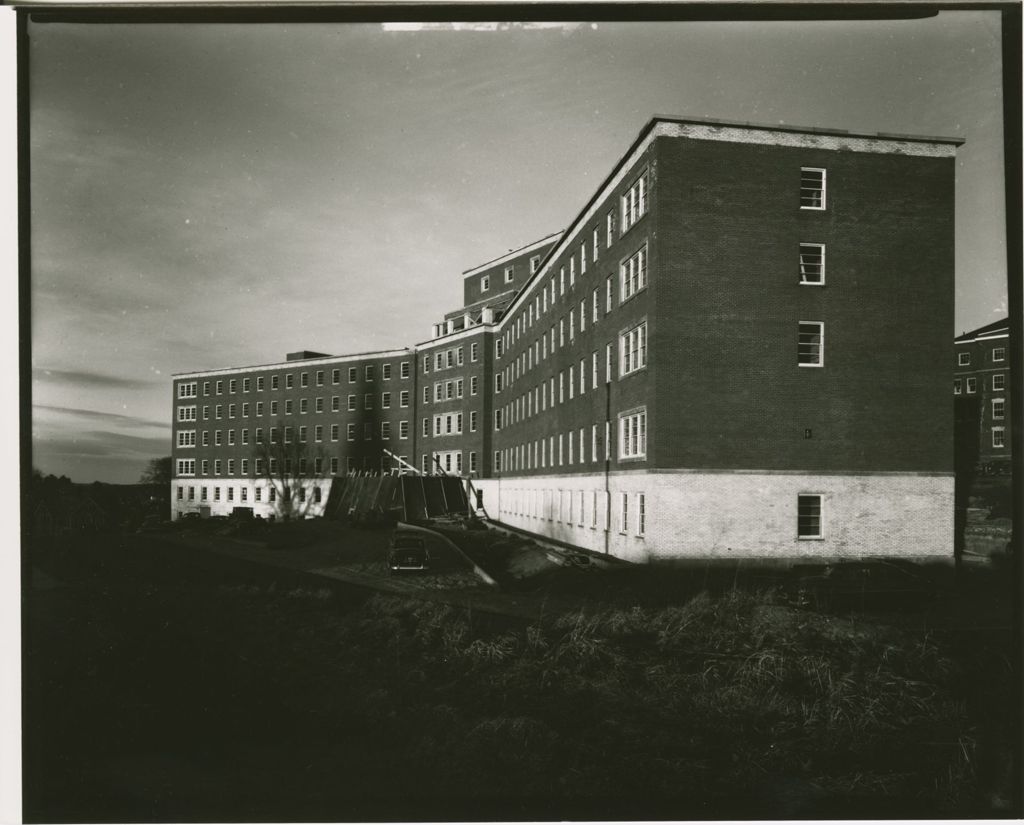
column 166, row 683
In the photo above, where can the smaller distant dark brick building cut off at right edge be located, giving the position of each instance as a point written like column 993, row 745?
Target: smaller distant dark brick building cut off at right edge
column 982, row 393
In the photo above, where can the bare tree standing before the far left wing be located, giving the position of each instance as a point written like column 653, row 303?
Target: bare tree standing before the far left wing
column 292, row 469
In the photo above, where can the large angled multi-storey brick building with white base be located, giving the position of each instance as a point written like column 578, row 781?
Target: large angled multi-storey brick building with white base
column 738, row 348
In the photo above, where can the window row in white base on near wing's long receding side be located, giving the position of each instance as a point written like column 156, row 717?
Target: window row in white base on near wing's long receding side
column 580, row 508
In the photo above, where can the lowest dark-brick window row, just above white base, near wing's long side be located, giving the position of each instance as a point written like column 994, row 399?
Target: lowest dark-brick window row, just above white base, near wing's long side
column 563, row 451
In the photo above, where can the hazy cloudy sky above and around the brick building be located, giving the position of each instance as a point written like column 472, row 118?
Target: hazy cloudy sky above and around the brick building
column 212, row 196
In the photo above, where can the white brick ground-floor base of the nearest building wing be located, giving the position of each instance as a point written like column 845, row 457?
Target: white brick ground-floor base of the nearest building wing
column 731, row 515
